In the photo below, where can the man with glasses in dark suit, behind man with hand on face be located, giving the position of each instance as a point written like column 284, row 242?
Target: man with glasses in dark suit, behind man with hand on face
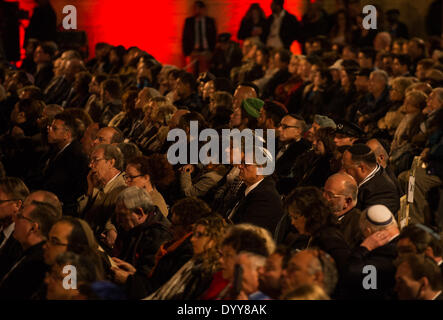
column 66, row 166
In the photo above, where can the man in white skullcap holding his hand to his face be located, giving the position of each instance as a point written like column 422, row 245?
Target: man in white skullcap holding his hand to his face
column 370, row 272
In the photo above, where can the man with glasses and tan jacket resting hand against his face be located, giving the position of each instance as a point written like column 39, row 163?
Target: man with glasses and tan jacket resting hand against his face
column 105, row 182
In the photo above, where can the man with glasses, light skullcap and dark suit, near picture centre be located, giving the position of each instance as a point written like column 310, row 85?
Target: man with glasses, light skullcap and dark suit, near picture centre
column 261, row 204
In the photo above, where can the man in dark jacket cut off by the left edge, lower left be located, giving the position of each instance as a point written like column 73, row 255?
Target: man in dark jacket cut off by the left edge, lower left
column 12, row 195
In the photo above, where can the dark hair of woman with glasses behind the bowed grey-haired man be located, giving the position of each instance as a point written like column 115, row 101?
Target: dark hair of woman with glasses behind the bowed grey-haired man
column 157, row 167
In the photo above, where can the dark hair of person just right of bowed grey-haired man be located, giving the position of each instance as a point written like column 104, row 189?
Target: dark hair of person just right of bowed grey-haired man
column 188, row 210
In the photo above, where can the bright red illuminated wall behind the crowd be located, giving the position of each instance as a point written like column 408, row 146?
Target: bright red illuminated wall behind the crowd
column 154, row 26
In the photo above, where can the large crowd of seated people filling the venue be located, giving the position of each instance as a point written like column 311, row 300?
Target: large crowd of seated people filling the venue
column 86, row 181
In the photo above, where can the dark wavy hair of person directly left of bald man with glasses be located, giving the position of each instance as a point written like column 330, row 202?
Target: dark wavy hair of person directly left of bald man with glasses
column 310, row 203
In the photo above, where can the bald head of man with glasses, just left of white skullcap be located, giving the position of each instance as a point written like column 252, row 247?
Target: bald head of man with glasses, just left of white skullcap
column 340, row 191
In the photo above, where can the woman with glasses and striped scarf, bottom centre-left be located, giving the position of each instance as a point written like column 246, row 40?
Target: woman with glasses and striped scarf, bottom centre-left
column 196, row 275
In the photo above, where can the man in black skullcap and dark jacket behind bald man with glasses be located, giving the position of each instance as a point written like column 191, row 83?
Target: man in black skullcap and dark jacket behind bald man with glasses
column 375, row 186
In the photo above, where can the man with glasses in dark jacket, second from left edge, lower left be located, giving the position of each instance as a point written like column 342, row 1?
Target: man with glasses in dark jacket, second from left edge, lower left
column 26, row 276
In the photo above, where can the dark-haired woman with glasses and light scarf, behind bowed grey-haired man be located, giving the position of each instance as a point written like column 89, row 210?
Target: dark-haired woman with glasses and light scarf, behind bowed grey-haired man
column 149, row 173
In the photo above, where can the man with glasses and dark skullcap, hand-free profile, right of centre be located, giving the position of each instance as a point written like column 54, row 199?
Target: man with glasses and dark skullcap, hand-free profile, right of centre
column 291, row 145
